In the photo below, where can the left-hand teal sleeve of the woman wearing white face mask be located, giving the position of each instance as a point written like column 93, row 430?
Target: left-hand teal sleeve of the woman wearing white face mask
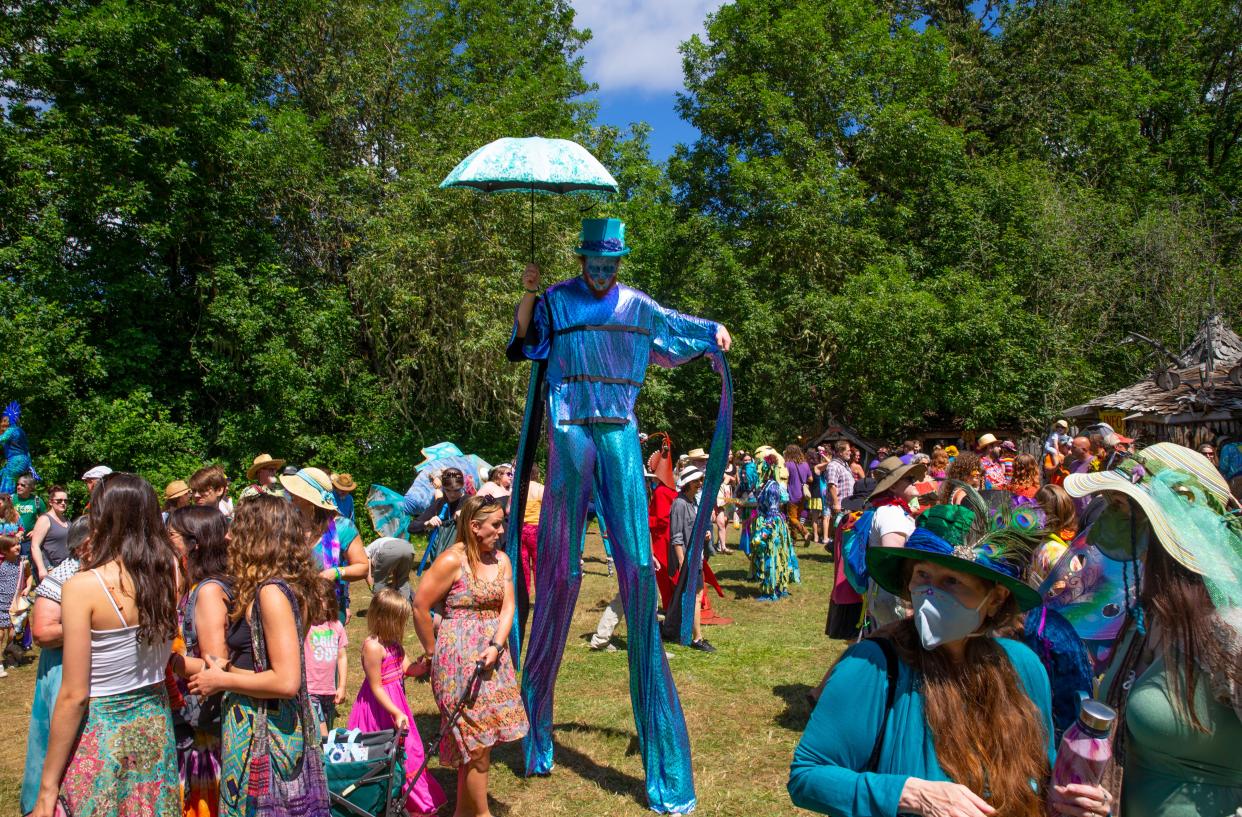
column 840, row 738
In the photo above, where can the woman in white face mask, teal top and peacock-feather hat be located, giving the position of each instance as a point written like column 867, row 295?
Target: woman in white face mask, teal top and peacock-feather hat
column 933, row 716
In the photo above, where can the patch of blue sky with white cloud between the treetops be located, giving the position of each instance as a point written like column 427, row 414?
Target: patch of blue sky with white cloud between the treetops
column 633, row 56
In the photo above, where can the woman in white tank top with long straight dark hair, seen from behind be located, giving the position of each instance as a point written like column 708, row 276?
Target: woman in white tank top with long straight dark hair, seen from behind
column 120, row 618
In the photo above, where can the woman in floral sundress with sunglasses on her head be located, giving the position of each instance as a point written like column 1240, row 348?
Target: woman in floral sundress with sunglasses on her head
column 475, row 582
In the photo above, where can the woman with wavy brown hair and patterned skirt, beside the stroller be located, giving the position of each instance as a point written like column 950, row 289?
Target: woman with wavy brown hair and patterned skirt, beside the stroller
column 278, row 587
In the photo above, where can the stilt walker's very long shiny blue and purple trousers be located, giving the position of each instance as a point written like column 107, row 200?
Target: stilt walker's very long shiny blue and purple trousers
column 608, row 456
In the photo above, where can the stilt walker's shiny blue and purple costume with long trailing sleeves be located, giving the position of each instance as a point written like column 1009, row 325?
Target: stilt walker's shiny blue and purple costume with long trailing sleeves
column 592, row 358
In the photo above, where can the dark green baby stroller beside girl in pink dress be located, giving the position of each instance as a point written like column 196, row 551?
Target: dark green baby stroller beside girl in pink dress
column 376, row 785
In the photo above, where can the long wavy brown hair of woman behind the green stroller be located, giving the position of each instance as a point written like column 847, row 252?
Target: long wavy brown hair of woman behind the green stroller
column 268, row 541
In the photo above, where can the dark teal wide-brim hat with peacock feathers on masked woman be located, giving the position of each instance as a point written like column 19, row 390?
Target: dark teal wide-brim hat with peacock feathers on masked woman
column 995, row 547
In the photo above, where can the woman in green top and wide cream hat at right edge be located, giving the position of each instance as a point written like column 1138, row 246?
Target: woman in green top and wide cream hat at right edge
column 1177, row 676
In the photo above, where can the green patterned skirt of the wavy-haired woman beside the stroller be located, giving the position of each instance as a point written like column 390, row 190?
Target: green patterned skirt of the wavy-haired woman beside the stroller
column 285, row 741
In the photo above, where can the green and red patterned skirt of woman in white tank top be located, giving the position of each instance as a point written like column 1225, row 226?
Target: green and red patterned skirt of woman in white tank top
column 126, row 761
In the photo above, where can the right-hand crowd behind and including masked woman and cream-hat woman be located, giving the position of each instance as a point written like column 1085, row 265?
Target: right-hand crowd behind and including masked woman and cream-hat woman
column 964, row 676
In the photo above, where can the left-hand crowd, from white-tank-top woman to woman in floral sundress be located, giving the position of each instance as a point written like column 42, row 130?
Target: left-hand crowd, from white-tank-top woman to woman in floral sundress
column 193, row 652
